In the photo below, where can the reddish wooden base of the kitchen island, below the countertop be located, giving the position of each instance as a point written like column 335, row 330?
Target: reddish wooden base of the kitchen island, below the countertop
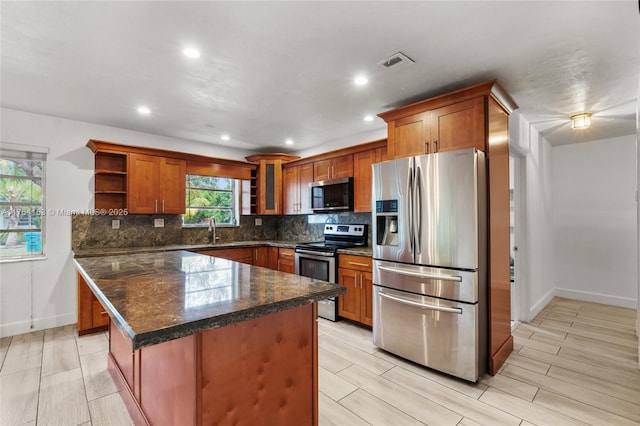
column 259, row 371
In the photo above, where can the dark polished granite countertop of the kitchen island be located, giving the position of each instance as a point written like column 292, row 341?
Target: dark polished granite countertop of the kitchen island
column 159, row 296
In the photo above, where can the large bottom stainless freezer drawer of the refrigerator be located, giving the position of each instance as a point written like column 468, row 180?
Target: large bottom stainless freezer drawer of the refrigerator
column 439, row 334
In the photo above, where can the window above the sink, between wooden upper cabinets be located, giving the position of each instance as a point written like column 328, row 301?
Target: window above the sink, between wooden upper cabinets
column 208, row 197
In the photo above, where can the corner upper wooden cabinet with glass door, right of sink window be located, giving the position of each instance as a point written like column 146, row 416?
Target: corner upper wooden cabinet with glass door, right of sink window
column 269, row 181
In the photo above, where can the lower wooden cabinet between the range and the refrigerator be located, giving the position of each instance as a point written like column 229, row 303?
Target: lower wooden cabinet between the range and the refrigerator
column 355, row 273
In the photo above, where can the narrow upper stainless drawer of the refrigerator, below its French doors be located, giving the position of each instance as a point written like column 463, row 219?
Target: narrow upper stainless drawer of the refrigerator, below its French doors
column 437, row 282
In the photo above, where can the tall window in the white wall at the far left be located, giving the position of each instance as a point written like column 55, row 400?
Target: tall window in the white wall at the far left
column 22, row 210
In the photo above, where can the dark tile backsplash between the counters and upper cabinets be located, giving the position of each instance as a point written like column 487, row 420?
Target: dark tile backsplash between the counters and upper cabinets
column 91, row 232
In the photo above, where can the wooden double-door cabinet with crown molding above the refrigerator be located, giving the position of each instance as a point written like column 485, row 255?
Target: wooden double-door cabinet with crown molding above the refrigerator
column 453, row 121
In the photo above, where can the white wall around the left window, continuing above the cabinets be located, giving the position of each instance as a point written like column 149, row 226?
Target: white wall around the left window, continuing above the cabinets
column 42, row 294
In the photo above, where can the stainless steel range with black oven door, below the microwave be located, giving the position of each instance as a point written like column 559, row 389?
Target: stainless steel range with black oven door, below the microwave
column 318, row 259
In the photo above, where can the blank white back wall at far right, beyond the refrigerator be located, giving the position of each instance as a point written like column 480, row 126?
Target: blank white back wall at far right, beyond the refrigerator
column 594, row 189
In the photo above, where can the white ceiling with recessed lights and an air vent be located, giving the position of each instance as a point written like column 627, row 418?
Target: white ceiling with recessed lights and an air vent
column 276, row 70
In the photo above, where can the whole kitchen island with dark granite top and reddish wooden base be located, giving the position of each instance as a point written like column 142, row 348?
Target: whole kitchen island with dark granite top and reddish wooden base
column 199, row 340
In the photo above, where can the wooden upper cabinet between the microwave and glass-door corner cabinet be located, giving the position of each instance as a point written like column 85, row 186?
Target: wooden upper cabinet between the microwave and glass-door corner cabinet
column 296, row 193
